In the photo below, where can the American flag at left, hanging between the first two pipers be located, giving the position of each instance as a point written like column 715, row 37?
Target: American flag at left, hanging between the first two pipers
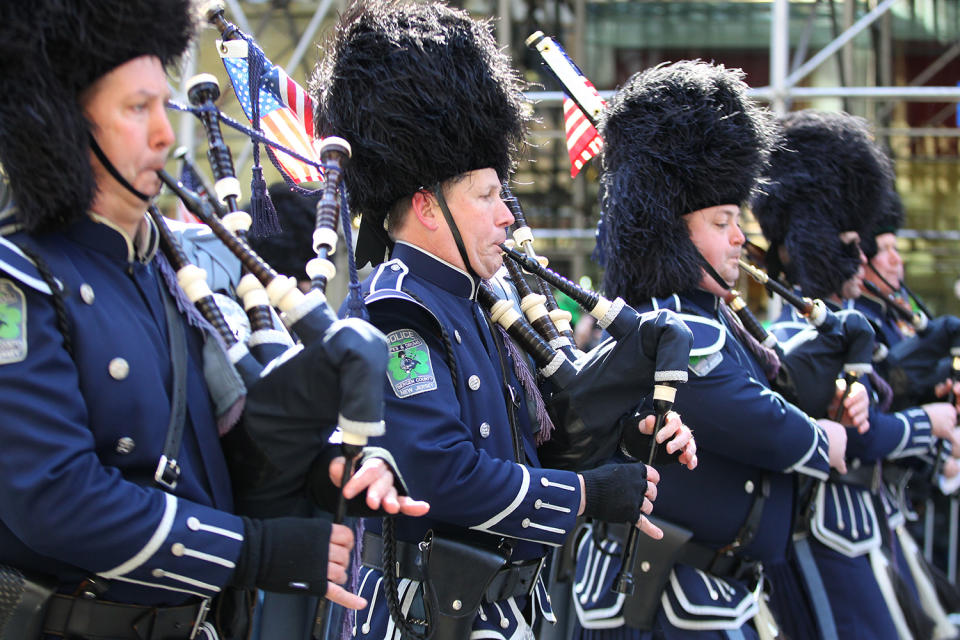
column 286, row 109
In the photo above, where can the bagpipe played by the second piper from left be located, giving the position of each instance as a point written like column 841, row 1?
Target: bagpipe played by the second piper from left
column 592, row 397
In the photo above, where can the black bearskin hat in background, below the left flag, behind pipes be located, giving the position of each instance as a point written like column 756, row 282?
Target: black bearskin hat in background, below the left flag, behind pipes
column 289, row 250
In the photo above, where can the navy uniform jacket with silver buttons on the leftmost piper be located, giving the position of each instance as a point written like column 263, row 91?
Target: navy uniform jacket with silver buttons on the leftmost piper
column 82, row 436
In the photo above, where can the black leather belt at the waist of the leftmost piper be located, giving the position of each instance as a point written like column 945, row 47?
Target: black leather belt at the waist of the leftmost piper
column 97, row 619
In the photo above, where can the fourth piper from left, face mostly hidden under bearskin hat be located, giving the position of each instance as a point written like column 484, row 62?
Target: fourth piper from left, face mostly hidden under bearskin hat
column 827, row 183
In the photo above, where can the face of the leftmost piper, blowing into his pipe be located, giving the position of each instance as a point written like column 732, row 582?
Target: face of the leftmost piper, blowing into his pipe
column 127, row 110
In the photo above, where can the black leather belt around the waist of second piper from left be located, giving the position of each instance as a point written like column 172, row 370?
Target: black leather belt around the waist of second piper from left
column 517, row 579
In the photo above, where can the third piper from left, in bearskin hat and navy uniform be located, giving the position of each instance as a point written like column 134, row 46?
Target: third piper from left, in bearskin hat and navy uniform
column 683, row 148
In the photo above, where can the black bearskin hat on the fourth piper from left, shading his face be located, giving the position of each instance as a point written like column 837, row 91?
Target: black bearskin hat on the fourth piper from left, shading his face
column 828, row 177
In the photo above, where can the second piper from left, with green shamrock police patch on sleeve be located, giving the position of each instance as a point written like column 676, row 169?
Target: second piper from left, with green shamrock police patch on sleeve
column 435, row 118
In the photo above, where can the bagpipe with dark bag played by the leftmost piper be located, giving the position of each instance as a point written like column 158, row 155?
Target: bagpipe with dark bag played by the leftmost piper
column 303, row 379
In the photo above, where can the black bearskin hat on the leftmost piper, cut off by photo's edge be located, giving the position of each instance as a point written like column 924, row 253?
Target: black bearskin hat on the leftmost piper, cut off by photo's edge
column 50, row 51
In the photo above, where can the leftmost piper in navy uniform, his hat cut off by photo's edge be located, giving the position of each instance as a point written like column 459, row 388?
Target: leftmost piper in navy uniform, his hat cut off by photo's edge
column 115, row 492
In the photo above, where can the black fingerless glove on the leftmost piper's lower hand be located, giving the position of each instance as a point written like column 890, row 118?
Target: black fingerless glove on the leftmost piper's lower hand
column 284, row 555
